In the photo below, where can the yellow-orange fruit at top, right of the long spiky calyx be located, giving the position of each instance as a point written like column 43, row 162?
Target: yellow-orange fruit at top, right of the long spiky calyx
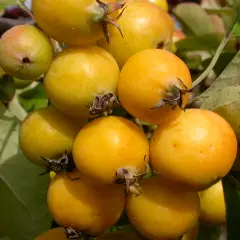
column 144, row 26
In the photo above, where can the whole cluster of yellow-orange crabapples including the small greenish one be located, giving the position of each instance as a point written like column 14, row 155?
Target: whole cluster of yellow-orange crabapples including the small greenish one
column 95, row 57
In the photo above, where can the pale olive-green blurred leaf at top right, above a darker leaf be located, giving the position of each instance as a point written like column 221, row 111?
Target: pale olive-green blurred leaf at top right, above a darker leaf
column 194, row 17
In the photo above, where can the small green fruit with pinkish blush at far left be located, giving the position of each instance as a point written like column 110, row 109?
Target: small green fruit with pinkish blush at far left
column 18, row 47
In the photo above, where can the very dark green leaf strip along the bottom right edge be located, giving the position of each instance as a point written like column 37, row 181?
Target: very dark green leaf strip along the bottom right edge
column 232, row 198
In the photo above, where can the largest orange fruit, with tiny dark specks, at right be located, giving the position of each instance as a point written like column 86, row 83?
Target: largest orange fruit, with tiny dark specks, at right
column 197, row 149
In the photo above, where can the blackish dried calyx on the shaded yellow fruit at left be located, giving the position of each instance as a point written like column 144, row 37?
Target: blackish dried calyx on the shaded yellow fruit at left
column 63, row 164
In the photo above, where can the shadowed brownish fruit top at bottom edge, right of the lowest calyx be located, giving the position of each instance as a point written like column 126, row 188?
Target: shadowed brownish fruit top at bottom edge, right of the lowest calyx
column 121, row 236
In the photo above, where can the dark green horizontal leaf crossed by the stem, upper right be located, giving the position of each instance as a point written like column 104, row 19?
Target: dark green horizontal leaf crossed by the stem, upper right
column 208, row 42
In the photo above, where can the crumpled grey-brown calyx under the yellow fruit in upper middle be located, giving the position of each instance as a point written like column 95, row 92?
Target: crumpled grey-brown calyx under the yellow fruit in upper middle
column 103, row 103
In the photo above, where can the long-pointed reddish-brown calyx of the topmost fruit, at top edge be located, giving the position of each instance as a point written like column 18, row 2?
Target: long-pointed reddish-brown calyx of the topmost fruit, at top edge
column 108, row 9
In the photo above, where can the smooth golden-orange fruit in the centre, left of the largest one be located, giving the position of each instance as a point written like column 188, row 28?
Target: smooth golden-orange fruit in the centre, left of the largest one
column 107, row 144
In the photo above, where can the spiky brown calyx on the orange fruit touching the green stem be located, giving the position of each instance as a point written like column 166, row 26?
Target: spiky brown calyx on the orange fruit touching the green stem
column 174, row 96
